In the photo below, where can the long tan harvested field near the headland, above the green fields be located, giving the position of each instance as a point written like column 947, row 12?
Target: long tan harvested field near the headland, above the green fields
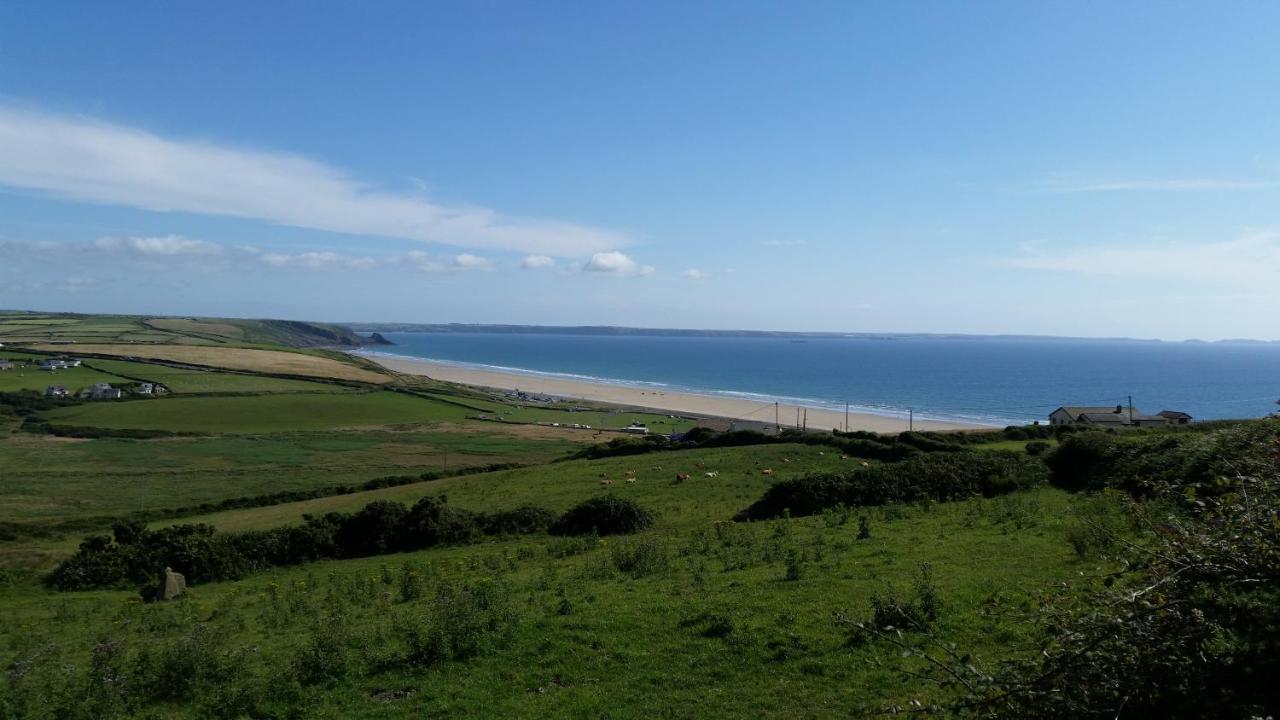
column 275, row 362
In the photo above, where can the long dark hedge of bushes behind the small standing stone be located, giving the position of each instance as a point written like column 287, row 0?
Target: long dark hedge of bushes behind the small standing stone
column 136, row 555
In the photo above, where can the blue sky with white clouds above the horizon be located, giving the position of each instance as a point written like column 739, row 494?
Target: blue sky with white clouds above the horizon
column 1050, row 168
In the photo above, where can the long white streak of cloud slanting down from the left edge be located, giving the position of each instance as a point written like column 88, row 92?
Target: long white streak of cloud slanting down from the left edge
column 90, row 161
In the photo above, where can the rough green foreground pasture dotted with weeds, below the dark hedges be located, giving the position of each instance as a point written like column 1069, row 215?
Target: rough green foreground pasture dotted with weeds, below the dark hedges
column 728, row 622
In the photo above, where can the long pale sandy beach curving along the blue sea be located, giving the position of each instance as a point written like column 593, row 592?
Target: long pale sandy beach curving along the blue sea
column 675, row 403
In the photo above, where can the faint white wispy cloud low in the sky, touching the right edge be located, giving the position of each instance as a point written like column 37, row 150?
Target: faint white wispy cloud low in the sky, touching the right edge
column 1251, row 259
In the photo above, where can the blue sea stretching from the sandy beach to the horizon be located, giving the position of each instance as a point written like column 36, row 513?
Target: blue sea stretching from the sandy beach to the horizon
column 990, row 381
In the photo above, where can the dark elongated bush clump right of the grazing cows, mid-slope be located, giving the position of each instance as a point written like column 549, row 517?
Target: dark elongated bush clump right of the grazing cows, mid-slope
column 935, row 477
